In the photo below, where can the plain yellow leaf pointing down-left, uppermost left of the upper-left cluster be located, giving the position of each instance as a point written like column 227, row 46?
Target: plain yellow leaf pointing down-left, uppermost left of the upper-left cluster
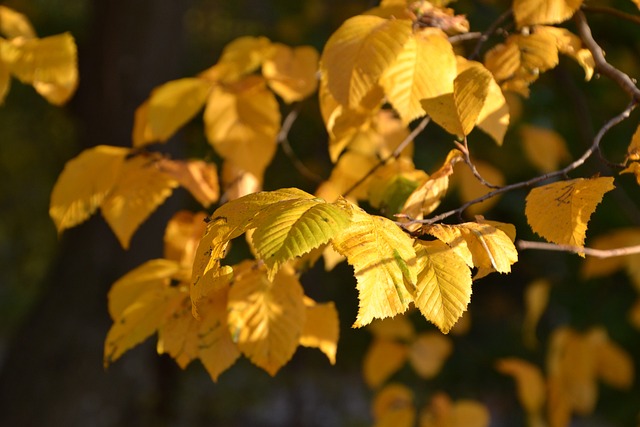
column 169, row 107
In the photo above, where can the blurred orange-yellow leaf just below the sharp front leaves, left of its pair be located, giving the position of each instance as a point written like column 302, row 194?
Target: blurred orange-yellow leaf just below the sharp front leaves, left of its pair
column 383, row 358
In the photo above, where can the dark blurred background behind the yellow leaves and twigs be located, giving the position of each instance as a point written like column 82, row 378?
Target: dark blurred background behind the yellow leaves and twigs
column 53, row 311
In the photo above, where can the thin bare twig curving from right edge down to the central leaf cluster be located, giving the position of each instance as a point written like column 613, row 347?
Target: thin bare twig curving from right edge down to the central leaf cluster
column 562, row 172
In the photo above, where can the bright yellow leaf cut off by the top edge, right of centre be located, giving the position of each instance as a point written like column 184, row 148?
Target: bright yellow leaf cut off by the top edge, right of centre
column 532, row 12
